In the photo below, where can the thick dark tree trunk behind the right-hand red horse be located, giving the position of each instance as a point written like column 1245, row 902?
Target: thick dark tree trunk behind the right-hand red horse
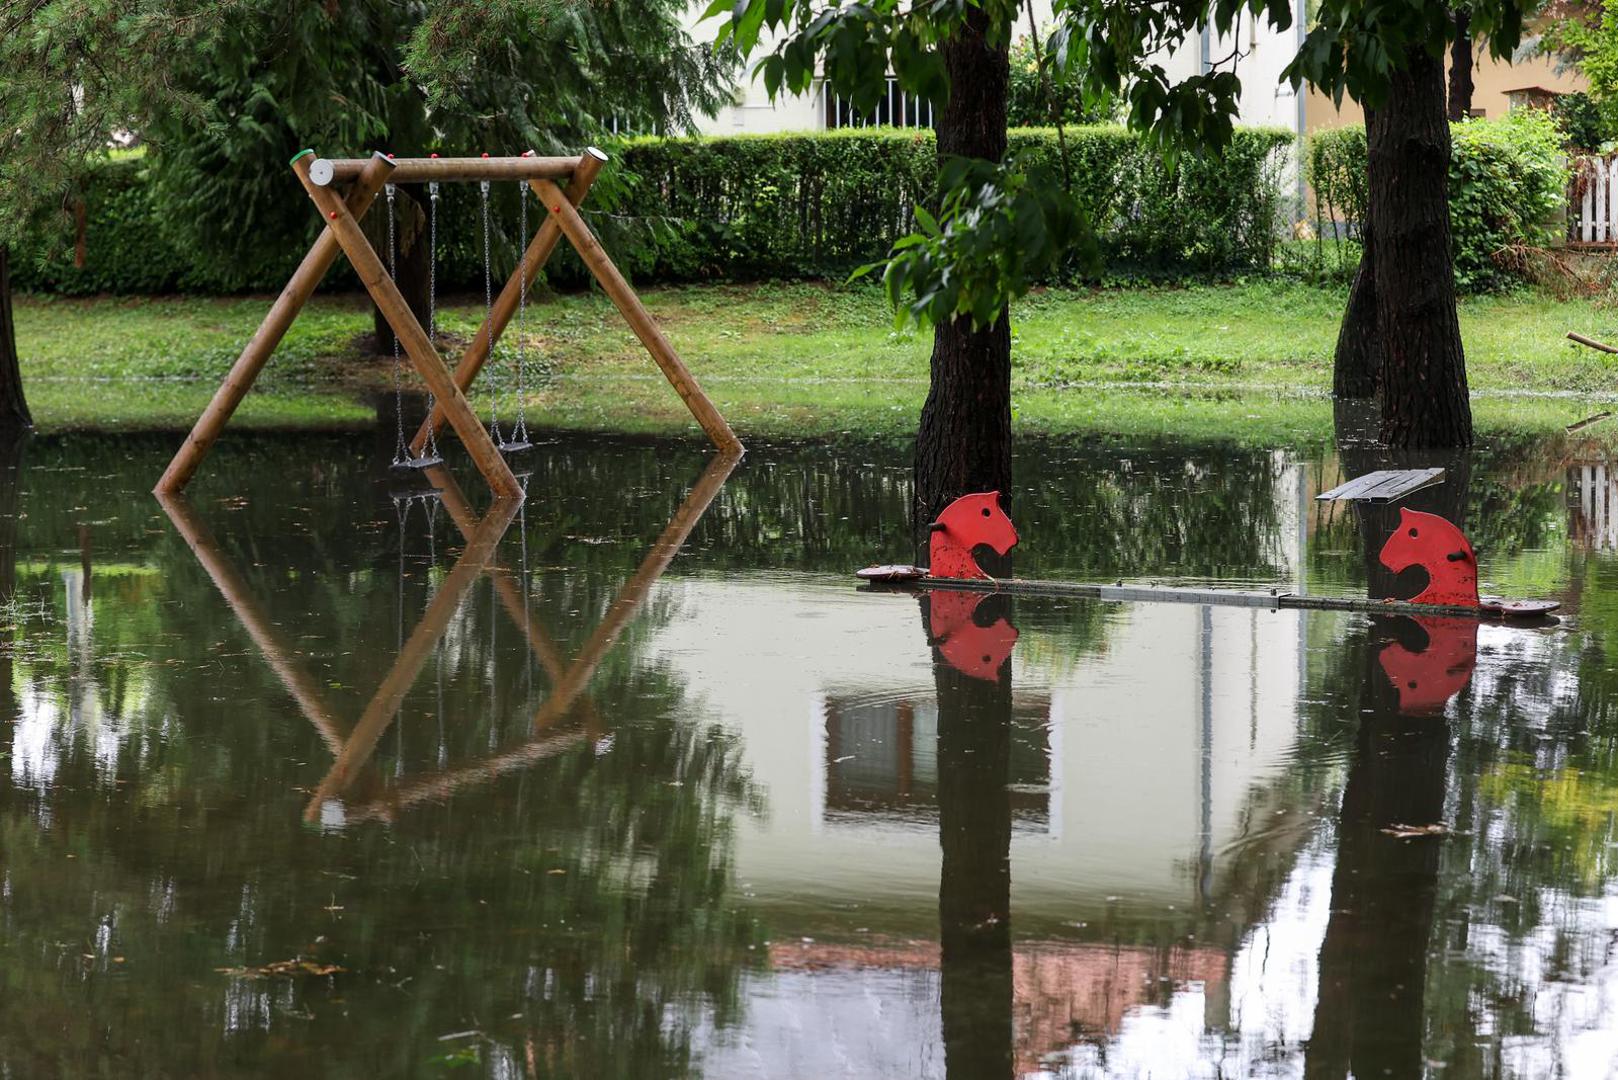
column 1425, row 399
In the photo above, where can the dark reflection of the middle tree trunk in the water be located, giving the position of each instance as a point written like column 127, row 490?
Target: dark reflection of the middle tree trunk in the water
column 975, row 880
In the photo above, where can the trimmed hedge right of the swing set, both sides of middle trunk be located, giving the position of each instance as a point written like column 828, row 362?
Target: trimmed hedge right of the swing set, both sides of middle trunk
column 821, row 205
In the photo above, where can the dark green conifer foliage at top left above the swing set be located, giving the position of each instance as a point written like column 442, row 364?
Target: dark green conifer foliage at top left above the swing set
column 226, row 91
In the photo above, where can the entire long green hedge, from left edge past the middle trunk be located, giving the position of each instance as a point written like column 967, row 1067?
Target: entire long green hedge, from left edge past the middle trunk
column 753, row 208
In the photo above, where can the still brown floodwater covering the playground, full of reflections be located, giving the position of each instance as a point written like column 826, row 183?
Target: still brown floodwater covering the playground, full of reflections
column 315, row 775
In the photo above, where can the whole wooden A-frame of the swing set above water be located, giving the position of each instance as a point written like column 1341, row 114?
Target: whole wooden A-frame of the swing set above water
column 342, row 236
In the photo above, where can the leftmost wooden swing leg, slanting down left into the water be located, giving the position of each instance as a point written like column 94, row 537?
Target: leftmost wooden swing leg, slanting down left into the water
column 276, row 323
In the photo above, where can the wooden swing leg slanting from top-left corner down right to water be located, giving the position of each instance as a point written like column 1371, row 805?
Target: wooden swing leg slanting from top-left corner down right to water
column 409, row 331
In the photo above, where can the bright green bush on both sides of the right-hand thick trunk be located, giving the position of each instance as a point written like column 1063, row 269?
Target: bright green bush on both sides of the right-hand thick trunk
column 1509, row 182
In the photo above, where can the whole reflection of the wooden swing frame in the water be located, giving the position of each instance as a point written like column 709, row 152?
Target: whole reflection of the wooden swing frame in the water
column 548, row 736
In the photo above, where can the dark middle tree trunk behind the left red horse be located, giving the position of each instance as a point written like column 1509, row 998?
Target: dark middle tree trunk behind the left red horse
column 964, row 443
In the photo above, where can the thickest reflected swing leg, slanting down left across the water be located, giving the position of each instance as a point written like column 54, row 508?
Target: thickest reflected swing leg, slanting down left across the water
column 420, row 645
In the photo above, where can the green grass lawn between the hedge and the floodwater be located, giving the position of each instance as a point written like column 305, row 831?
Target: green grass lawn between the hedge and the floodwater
column 1245, row 360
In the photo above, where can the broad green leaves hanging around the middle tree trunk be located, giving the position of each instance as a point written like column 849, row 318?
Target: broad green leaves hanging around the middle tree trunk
column 1104, row 49
